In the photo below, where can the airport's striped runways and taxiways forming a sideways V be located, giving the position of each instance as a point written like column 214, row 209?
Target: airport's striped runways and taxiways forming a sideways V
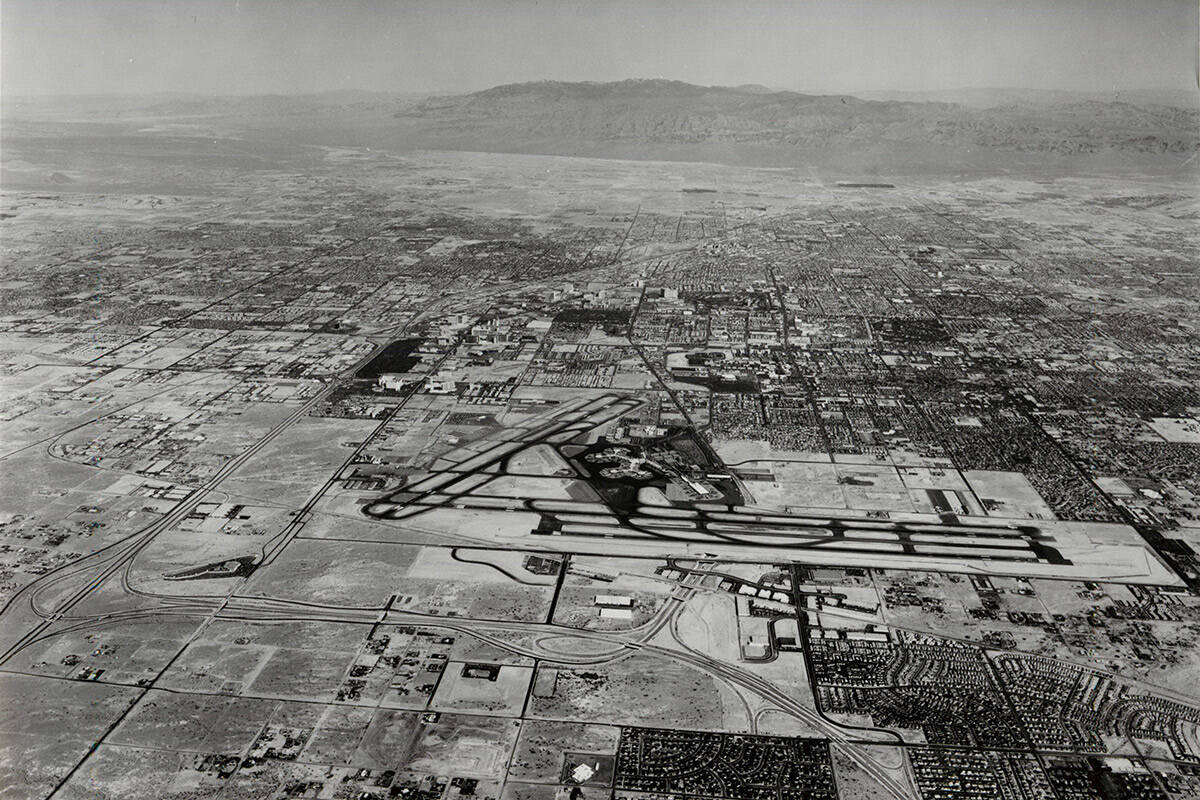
column 459, row 485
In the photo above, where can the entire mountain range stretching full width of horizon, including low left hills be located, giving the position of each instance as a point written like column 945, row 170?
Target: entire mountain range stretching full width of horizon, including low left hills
column 670, row 121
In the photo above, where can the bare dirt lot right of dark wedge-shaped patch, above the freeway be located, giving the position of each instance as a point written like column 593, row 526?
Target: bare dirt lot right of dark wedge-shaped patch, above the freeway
column 338, row 574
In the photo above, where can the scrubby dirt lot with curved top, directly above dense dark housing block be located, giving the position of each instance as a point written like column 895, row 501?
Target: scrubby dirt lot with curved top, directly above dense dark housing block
column 637, row 691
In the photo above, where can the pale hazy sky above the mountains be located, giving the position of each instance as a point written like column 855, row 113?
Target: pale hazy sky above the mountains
column 836, row 46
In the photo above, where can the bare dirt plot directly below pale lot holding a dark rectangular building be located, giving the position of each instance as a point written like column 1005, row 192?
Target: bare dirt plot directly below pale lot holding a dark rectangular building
column 465, row 745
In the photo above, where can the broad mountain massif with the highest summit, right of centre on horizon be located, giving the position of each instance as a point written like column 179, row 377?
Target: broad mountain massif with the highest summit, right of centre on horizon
column 658, row 112
